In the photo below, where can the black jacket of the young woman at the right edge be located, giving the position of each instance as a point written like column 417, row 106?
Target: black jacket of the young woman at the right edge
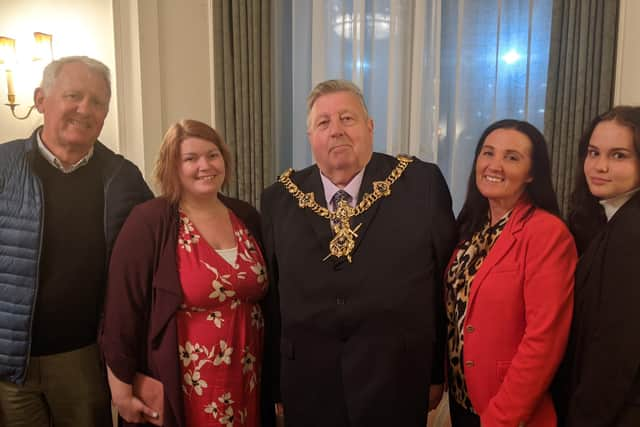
column 599, row 382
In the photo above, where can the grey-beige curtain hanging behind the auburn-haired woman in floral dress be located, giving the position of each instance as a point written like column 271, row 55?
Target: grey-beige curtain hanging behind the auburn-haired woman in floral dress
column 242, row 34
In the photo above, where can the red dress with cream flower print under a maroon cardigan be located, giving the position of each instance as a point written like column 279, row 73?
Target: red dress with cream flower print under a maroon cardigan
column 220, row 328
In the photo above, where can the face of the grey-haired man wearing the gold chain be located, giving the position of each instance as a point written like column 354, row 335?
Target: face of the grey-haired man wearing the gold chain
column 341, row 136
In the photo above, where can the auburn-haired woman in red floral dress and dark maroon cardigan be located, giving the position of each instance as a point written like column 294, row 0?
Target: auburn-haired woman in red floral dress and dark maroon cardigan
column 182, row 300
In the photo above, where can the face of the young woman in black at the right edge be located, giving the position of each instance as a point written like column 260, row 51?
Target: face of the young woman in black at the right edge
column 612, row 166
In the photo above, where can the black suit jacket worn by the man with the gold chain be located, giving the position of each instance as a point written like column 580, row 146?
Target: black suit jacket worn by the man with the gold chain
column 357, row 344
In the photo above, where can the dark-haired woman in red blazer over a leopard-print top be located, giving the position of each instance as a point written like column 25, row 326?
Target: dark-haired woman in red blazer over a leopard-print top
column 509, row 285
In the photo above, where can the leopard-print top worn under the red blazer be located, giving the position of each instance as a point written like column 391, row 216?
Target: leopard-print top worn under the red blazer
column 467, row 262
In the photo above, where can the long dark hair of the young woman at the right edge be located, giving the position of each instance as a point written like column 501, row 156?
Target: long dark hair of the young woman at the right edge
column 586, row 215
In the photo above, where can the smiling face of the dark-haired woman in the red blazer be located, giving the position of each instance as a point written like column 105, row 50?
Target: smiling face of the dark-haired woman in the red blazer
column 503, row 168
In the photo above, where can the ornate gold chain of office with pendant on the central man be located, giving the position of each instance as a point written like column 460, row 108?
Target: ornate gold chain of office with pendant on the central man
column 344, row 240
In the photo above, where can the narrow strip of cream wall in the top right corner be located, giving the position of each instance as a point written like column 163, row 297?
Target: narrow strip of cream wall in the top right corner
column 627, row 88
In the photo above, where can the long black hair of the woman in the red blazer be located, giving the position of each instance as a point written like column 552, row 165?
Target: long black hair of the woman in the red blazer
column 540, row 190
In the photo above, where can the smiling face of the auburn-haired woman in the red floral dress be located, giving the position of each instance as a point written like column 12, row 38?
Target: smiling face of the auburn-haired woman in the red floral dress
column 201, row 168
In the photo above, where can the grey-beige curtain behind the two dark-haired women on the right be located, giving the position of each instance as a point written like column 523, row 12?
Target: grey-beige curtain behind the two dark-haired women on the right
column 580, row 80
